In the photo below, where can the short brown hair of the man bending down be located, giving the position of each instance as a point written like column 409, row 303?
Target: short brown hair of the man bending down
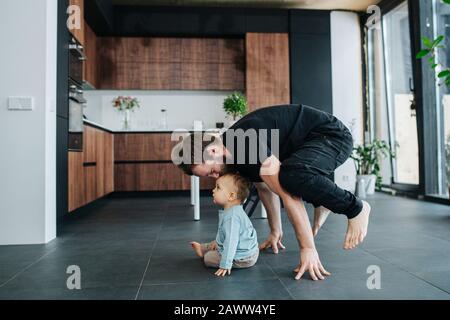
column 189, row 143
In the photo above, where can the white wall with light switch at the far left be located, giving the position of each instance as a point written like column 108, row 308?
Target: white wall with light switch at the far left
column 28, row 30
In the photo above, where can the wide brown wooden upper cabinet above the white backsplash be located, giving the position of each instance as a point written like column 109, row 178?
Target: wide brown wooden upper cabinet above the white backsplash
column 171, row 63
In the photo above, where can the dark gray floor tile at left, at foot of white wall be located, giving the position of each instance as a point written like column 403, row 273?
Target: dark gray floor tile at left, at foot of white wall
column 102, row 264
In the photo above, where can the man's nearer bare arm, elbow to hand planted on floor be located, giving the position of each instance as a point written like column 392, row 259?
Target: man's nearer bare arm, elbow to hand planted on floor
column 299, row 218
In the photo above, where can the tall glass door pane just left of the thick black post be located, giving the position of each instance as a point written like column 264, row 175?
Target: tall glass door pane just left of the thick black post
column 402, row 123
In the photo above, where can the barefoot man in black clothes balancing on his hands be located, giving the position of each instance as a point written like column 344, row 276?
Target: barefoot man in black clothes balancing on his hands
column 297, row 149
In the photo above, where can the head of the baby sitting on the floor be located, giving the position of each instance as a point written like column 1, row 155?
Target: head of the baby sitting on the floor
column 231, row 189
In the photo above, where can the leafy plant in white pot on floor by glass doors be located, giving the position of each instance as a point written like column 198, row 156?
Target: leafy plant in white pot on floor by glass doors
column 367, row 160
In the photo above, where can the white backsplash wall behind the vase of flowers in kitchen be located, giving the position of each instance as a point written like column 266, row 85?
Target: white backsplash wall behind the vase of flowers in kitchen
column 183, row 107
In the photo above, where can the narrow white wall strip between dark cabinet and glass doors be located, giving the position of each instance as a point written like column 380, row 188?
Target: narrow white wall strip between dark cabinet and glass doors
column 347, row 84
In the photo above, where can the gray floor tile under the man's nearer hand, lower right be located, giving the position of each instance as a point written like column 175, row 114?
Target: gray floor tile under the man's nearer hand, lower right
column 349, row 280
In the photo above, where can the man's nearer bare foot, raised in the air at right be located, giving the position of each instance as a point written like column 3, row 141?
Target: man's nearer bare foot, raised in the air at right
column 357, row 228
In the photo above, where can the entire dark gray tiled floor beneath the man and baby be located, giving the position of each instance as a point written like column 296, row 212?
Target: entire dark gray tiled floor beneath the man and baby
column 138, row 248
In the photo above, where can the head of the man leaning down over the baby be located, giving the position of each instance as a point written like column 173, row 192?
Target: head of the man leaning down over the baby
column 206, row 156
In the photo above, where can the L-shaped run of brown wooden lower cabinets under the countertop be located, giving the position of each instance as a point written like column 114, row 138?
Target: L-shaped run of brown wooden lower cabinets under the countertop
column 124, row 162
